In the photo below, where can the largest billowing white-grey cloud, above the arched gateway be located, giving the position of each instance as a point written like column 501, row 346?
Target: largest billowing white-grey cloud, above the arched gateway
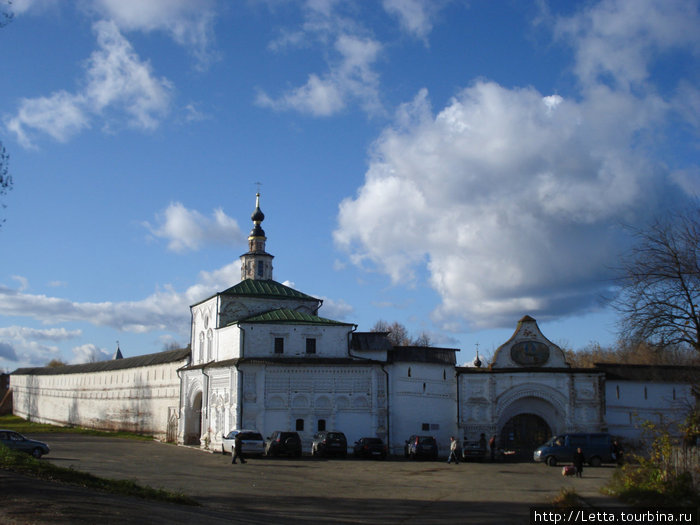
column 512, row 198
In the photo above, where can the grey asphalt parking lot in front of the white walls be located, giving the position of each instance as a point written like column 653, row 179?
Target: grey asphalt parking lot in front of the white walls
column 301, row 490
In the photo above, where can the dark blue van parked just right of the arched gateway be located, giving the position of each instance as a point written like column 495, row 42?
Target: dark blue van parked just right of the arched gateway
column 596, row 448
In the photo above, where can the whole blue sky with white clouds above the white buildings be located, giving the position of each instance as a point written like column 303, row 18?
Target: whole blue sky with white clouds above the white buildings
column 451, row 165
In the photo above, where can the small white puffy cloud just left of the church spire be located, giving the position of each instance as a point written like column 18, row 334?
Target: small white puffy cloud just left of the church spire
column 187, row 229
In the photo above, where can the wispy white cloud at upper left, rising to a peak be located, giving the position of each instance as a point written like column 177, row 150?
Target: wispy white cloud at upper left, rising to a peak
column 117, row 83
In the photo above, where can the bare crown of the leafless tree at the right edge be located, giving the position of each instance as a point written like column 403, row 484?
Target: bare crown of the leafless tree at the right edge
column 659, row 300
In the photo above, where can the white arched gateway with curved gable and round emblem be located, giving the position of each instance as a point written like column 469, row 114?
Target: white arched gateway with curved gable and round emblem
column 528, row 394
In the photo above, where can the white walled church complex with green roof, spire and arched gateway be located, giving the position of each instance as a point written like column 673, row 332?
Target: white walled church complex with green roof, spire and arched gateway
column 261, row 357
